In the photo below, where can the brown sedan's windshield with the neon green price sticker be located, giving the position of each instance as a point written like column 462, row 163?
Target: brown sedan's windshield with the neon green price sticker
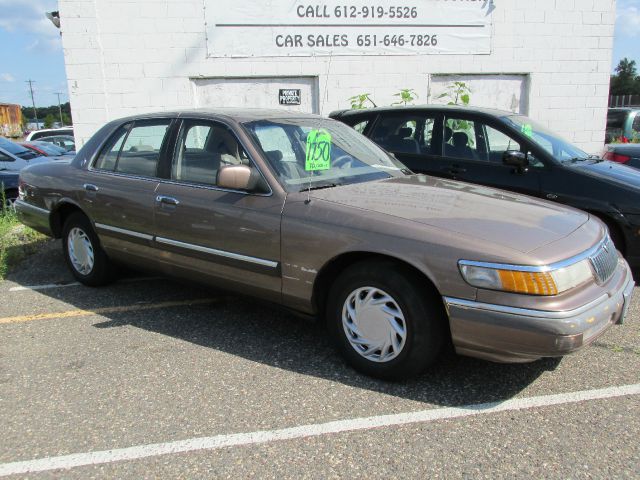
column 316, row 153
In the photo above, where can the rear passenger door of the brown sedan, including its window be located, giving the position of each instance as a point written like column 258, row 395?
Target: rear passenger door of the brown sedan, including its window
column 118, row 190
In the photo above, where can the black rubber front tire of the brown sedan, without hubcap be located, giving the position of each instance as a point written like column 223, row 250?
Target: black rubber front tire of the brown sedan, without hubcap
column 419, row 303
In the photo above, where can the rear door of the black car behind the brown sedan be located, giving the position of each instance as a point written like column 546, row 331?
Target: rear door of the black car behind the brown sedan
column 413, row 137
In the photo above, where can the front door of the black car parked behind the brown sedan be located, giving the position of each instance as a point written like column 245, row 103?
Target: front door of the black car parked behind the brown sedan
column 474, row 148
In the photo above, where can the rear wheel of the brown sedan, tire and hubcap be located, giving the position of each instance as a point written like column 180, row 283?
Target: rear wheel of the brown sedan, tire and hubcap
column 82, row 252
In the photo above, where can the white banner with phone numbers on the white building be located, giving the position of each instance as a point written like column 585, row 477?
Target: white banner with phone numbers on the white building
column 267, row 28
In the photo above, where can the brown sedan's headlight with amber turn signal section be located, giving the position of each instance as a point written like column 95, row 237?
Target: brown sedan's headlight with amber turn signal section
column 527, row 280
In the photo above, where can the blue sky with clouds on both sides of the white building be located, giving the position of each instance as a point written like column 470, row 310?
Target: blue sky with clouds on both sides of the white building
column 30, row 48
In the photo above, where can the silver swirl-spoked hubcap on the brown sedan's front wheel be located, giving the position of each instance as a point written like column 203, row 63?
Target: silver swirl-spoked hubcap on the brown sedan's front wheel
column 374, row 324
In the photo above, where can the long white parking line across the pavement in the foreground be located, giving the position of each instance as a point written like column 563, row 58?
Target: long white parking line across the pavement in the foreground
column 313, row 430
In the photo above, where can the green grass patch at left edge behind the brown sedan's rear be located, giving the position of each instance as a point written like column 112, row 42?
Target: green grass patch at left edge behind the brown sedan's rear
column 16, row 241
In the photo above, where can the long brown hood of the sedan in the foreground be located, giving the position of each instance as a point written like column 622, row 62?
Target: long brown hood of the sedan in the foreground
column 502, row 218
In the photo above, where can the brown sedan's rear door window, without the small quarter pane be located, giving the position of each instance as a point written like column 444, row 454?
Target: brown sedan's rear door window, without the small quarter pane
column 141, row 150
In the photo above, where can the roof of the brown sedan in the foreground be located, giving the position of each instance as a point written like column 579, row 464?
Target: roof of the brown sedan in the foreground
column 235, row 114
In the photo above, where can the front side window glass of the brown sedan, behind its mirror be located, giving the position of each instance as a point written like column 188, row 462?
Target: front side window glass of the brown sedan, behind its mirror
column 203, row 147
